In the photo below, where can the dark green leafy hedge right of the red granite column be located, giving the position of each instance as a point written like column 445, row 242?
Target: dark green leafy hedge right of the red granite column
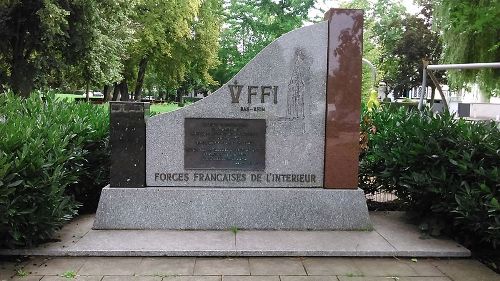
column 446, row 171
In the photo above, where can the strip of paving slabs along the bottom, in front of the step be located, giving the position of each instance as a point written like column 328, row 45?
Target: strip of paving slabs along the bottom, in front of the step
column 245, row 269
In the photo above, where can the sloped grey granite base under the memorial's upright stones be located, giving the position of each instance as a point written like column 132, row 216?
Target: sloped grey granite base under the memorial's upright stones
column 183, row 208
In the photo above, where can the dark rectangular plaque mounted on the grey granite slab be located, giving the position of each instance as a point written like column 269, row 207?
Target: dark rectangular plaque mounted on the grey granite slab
column 225, row 144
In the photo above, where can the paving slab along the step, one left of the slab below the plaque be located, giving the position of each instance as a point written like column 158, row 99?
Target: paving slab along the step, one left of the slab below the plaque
column 166, row 266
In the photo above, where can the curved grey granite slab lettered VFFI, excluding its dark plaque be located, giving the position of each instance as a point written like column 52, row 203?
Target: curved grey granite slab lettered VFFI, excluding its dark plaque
column 296, row 64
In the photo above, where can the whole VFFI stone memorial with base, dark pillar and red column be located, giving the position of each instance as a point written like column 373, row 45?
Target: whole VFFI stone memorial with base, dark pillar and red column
column 274, row 148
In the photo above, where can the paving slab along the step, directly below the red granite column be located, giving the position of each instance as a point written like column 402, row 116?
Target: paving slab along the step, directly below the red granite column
column 330, row 266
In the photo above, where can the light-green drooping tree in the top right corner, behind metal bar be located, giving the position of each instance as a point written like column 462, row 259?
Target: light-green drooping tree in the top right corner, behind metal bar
column 470, row 31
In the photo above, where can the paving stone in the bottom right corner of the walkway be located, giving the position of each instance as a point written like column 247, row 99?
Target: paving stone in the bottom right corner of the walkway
column 466, row 270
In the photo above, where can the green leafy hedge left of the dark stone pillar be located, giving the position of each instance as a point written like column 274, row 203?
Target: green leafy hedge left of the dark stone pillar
column 52, row 154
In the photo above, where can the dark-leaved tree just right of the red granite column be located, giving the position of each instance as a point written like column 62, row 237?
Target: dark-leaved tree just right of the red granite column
column 398, row 41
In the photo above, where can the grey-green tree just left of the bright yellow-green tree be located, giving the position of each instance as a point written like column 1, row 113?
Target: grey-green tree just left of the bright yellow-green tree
column 99, row 30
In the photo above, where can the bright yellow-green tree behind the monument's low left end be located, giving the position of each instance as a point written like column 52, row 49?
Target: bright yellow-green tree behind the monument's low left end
column 163, row 31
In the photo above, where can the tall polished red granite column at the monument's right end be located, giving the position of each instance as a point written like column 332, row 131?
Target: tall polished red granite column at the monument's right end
column 345, row 41
